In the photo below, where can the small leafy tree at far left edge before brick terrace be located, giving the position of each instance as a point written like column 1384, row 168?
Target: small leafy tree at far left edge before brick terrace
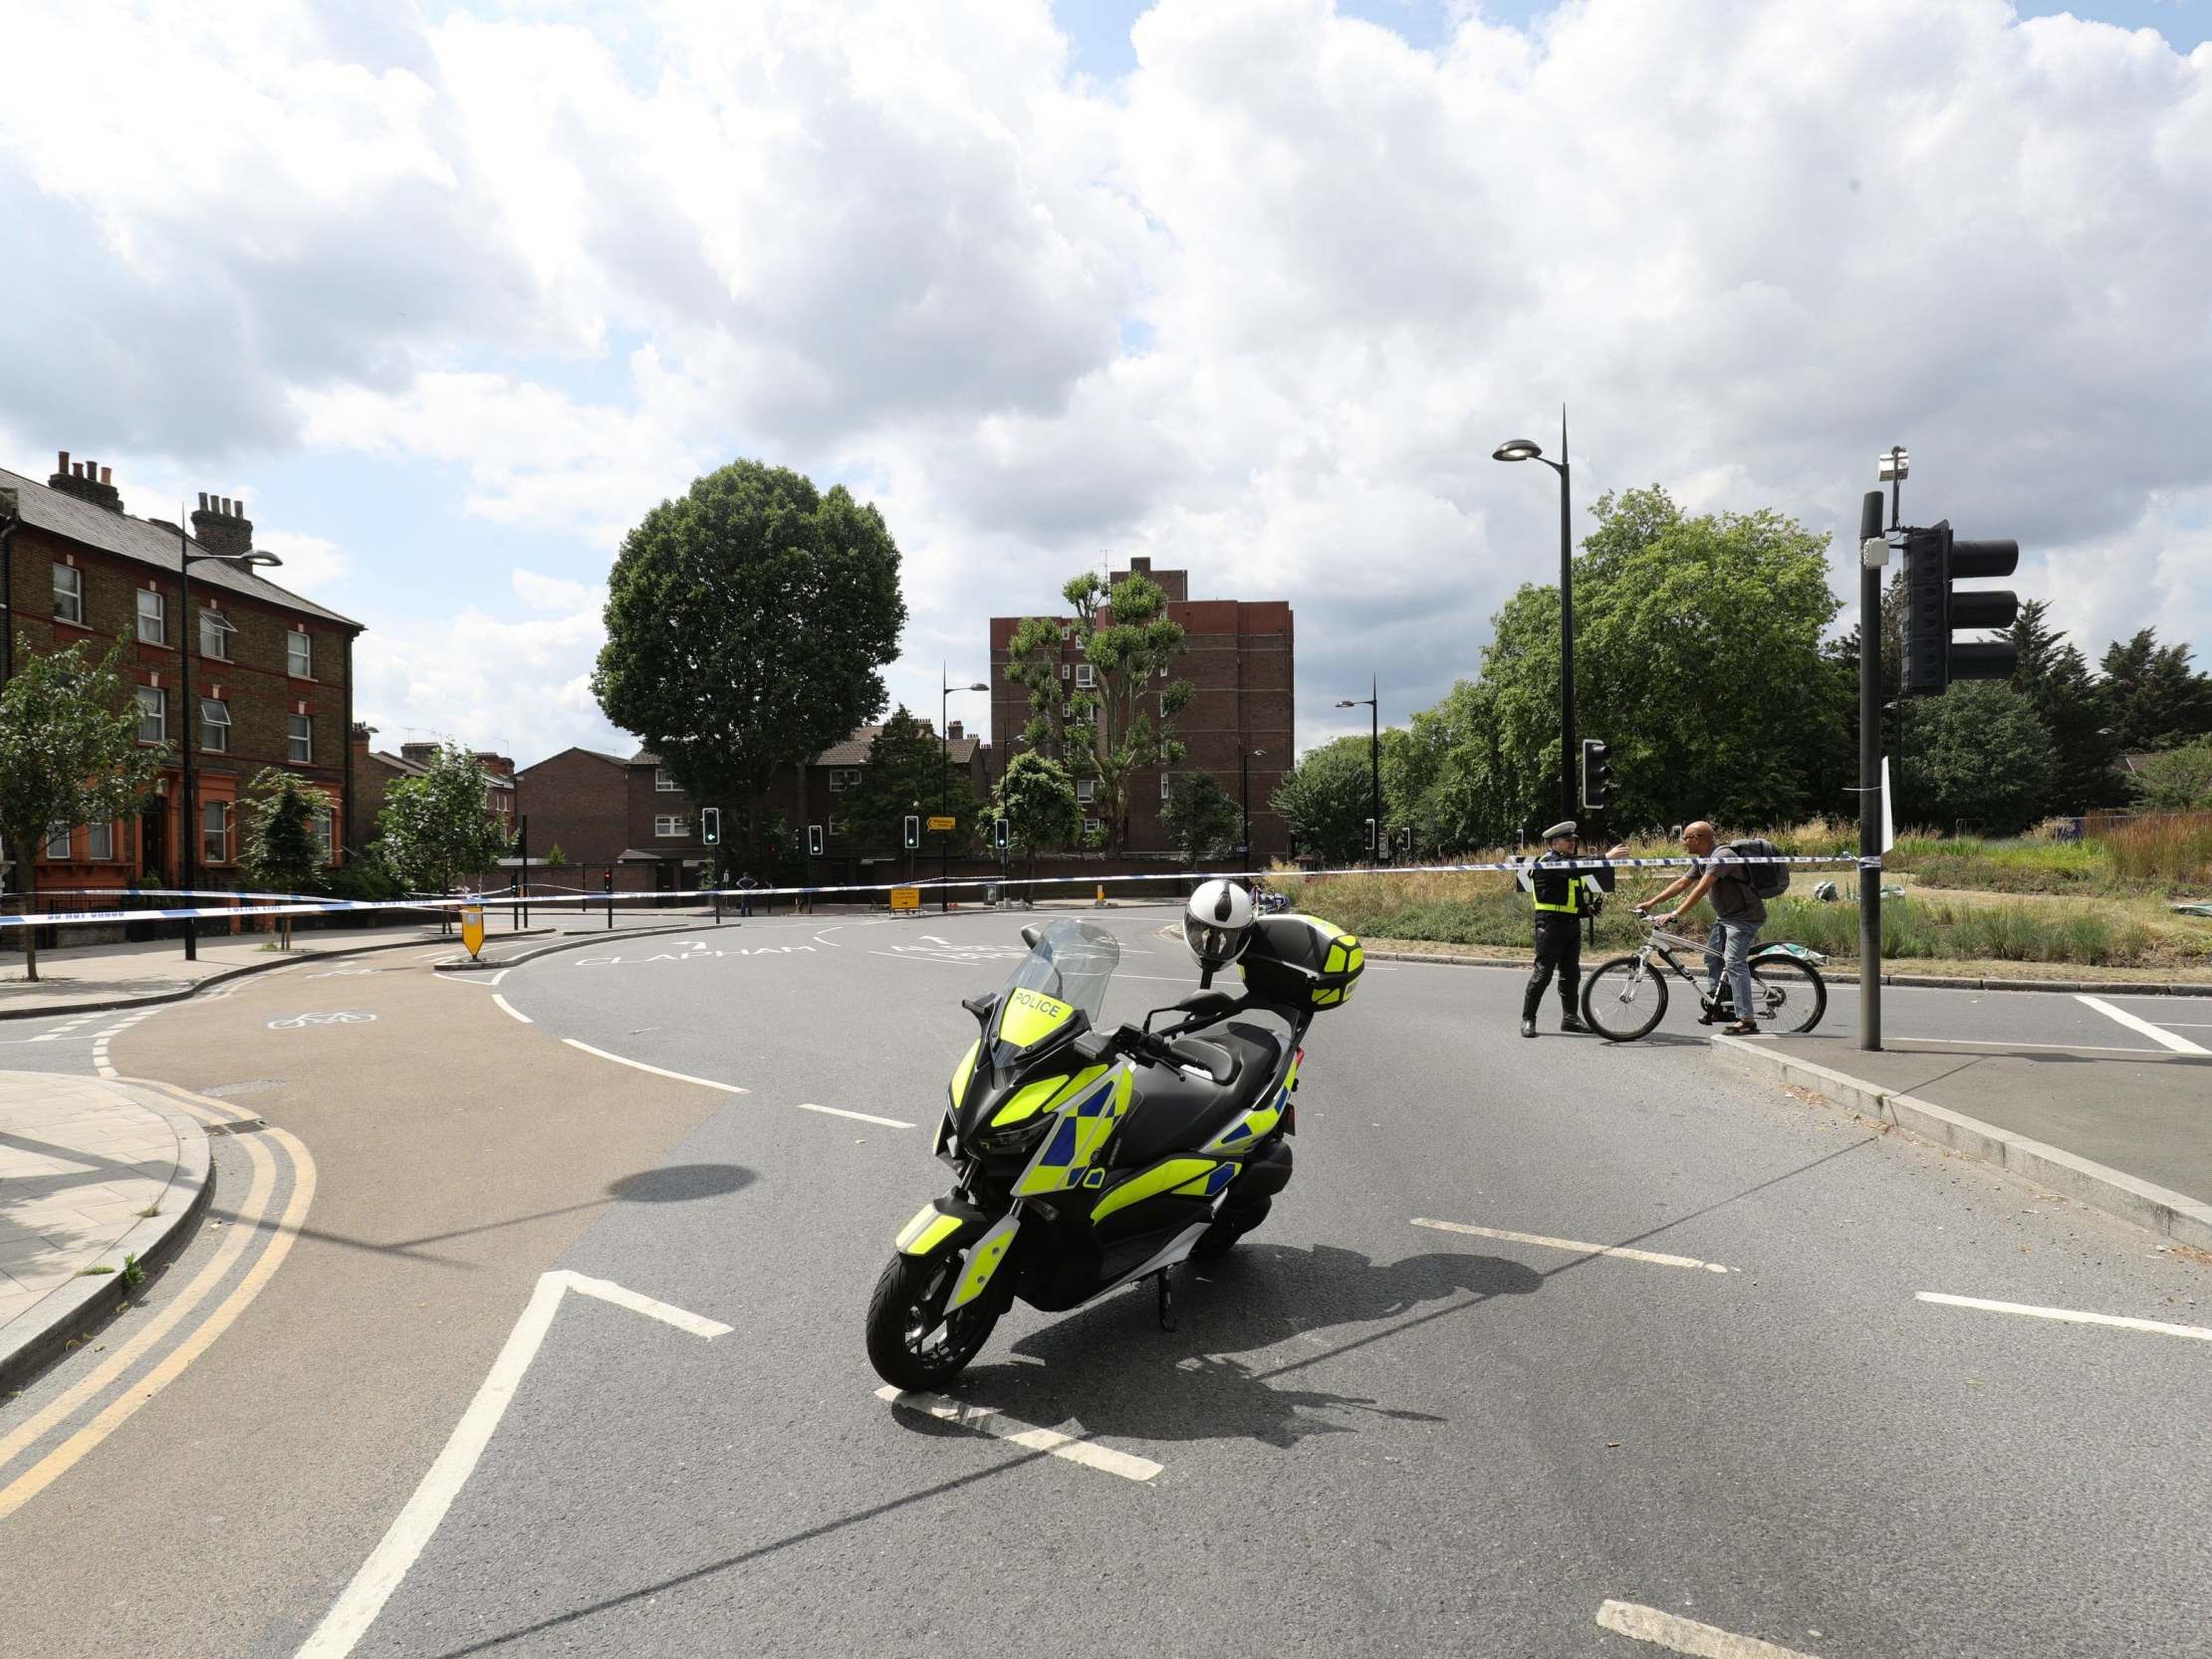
column 70, row 755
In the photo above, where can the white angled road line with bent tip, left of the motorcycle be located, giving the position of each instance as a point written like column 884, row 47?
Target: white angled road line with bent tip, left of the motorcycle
column 379, row 1576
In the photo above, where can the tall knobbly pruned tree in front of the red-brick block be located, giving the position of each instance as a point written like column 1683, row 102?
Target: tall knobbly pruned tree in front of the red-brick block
column 1125, row 720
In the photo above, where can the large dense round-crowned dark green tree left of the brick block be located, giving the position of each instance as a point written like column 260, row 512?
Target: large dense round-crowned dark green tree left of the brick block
column 747, row 625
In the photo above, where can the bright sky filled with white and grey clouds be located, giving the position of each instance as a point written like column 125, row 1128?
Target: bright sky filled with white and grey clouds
column 452, row 293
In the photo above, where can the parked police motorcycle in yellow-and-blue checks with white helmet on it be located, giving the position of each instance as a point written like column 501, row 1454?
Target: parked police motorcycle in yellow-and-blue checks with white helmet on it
column 1096, row 1158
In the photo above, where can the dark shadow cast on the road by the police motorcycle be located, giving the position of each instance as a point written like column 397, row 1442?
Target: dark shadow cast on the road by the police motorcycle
column 1116, row 1373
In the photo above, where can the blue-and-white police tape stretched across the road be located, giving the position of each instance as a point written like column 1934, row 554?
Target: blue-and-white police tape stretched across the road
column 311, row 906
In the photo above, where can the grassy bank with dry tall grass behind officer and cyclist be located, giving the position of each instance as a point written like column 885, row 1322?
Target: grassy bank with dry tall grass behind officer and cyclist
column 1926, row 926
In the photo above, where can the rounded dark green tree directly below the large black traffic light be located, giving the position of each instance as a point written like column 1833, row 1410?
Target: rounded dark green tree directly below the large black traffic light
column 1979, row 758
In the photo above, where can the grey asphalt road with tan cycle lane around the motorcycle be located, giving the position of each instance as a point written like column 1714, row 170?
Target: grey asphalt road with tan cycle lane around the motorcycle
column 1370, row 1437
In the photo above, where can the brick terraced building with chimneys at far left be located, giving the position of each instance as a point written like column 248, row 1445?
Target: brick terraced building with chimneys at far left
column 273, row 674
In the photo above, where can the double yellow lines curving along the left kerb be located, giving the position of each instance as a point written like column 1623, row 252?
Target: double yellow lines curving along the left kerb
column 247, row 1231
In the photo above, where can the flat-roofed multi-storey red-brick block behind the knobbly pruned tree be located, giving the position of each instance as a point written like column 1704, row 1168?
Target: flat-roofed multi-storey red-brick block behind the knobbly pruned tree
column 1240, row 662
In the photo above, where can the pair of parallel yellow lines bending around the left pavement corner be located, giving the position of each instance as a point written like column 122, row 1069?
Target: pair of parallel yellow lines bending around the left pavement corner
column 280, row 1244
